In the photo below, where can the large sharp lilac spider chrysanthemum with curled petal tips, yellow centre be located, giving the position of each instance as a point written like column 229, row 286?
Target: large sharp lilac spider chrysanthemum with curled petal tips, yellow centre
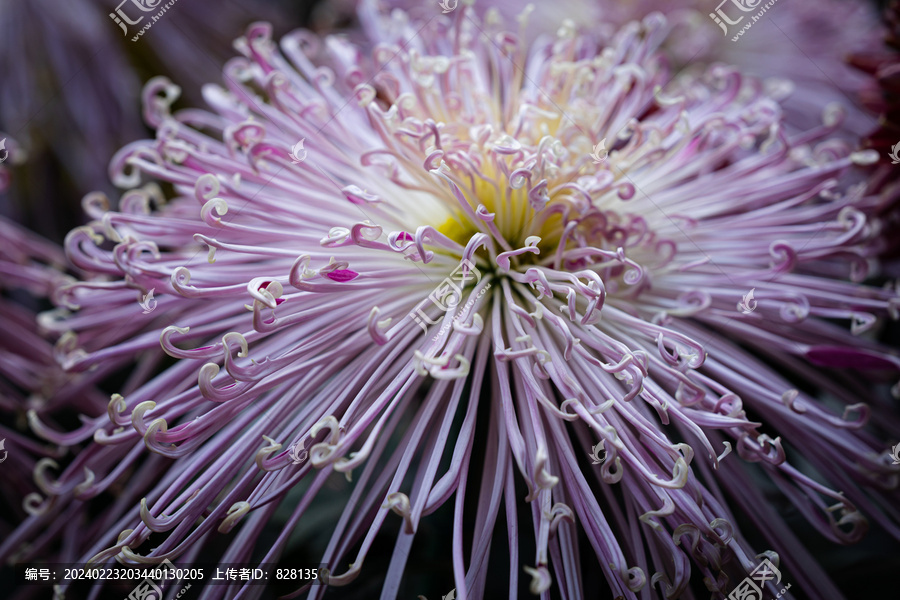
column 574, row 243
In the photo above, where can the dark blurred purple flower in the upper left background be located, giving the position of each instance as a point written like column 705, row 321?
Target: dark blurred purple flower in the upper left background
column 71, row 85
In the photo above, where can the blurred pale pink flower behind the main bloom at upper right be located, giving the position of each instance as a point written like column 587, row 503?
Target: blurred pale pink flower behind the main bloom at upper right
column 810, row 38
